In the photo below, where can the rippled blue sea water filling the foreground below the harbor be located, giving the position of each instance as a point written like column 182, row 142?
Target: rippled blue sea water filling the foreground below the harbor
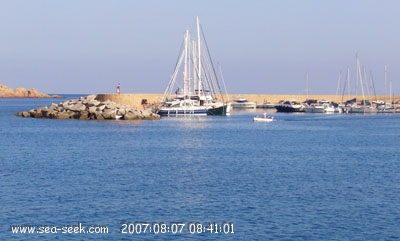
column 302, row 177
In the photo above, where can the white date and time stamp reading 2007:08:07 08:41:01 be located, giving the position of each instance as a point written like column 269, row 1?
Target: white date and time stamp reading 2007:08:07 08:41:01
column 175, row 227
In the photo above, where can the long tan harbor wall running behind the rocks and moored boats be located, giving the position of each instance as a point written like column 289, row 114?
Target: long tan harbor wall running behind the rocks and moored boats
column 135, row 99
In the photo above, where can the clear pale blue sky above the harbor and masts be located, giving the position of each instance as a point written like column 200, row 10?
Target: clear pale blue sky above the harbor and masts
column 262, row 46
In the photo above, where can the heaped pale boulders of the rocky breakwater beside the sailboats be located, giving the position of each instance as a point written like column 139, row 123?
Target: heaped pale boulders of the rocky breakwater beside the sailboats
column 89, row 108
